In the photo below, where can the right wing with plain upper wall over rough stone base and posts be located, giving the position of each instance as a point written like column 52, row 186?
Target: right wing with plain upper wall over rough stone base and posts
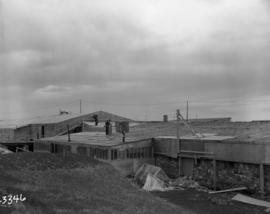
column 216, row 161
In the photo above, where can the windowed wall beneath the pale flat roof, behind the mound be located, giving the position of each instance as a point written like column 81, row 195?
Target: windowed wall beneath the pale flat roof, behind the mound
column 127, row 158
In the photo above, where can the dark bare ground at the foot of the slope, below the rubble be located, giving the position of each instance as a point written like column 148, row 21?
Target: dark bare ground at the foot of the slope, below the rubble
column 204, row 203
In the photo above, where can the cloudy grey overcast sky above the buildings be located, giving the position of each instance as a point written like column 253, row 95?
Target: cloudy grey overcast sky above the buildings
column 136, row 58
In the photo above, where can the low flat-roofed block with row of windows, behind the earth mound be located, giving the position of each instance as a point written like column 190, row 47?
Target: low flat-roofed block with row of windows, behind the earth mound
column 126, row 157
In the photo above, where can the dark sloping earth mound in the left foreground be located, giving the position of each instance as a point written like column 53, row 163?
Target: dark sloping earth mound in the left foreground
column 72, row 184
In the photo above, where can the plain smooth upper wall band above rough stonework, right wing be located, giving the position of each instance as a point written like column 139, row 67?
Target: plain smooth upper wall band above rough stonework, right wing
column 226, row 150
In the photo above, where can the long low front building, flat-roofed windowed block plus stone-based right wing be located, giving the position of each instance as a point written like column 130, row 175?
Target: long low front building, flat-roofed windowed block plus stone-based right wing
column 214, row 161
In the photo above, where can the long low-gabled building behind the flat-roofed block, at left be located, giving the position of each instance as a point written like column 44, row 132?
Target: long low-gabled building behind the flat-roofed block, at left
column 54, row 125
